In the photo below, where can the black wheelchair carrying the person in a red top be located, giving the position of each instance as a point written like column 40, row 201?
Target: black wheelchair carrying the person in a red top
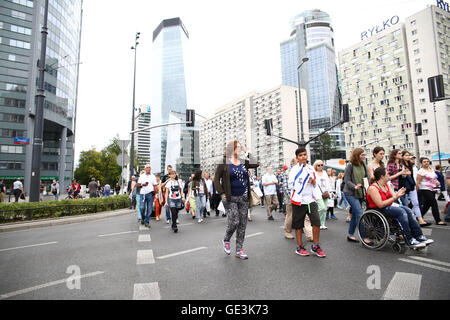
column 381, row 229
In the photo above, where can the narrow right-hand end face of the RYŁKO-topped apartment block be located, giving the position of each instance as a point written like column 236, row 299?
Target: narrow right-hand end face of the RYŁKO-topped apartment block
column 428, row 35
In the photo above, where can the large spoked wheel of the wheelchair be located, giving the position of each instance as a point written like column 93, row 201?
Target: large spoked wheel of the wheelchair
column 376, row 228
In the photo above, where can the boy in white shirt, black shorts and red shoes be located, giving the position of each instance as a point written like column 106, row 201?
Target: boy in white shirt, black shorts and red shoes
column 302, row 182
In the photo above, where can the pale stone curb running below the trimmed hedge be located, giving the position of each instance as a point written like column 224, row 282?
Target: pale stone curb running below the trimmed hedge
column 62, row 221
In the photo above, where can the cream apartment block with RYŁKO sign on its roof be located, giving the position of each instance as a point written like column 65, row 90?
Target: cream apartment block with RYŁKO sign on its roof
column 384, row 81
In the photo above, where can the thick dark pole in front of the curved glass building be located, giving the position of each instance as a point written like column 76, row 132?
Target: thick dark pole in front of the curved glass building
column 36, row 159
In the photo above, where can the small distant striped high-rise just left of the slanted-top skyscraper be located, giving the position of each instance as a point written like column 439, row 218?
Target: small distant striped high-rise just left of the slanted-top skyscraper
column 142, row 140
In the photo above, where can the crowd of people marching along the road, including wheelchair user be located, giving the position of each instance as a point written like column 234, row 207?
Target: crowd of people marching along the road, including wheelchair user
column 305, row 194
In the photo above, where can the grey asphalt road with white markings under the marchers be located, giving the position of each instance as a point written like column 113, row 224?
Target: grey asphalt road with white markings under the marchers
column 118, row 260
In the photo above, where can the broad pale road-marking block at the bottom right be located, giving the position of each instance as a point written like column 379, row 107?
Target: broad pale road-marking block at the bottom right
column 403, row 286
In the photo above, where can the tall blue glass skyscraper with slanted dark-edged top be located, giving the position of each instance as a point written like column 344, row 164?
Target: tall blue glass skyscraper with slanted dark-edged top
column 169, row 98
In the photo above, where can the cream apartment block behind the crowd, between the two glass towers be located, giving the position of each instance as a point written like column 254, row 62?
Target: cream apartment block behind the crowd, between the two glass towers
column 243, row 120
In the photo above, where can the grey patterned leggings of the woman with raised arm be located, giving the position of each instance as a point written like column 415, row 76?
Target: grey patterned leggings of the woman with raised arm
column 237, row 213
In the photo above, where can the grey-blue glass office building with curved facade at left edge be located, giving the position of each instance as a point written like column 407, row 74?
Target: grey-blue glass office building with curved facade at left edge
column 20, row 34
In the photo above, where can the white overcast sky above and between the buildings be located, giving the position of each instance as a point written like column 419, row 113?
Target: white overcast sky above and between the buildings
column 234, row 48
